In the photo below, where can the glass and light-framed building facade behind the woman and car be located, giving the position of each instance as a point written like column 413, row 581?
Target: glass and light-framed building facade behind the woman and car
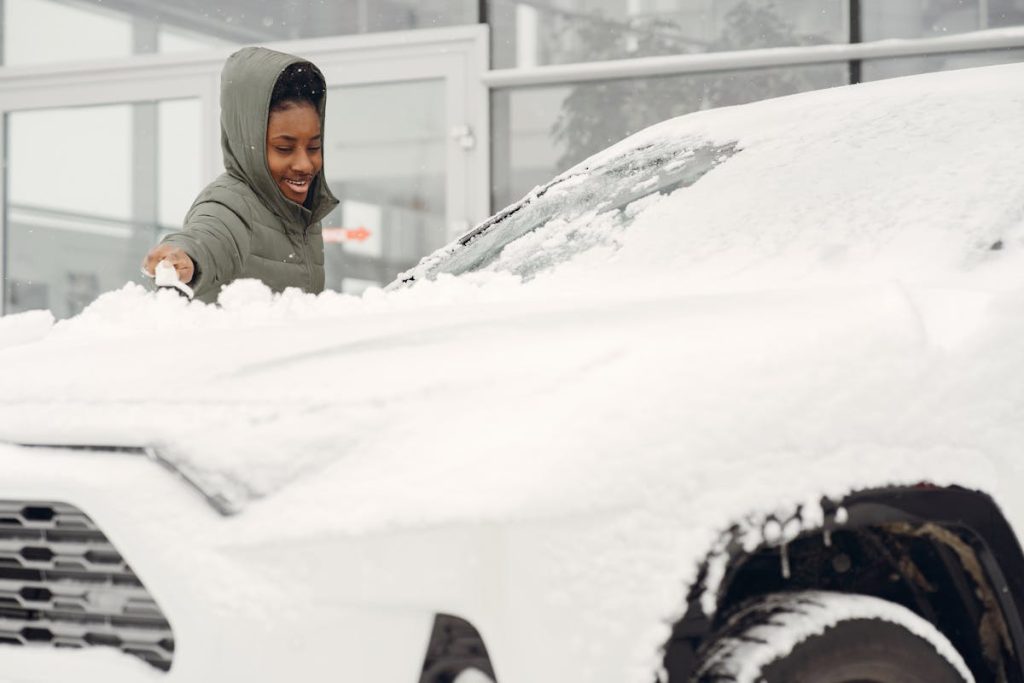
column 440, row 112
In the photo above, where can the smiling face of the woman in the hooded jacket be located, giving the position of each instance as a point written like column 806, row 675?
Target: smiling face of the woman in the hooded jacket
column 293, row 149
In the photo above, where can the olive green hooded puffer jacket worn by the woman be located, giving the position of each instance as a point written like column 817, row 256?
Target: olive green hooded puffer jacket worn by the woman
column 241, row 226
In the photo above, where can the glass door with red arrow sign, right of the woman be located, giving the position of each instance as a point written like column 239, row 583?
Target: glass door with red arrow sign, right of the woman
column 406, row 154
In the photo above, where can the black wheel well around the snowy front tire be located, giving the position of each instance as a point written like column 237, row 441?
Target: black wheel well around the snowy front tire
column 916, row 547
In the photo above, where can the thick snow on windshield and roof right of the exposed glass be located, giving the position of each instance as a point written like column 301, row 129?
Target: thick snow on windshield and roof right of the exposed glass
column 862, row 223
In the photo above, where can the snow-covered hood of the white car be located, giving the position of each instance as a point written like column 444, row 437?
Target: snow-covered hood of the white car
column 503, row 404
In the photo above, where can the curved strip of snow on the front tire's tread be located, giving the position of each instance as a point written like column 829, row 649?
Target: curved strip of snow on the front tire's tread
column 810, row 614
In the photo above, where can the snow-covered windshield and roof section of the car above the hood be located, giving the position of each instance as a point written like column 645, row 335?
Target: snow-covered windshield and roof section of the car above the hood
column 912, row 179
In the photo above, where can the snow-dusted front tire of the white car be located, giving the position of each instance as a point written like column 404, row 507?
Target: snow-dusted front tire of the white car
column 821, row 637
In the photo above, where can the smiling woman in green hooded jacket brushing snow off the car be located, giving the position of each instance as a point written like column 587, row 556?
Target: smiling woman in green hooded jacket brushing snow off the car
column 262, row 219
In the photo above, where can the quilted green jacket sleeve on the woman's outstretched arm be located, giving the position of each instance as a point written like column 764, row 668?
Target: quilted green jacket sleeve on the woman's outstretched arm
column 218, row 238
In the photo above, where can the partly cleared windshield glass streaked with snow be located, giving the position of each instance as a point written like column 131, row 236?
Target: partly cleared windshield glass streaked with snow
column 578, row 211
